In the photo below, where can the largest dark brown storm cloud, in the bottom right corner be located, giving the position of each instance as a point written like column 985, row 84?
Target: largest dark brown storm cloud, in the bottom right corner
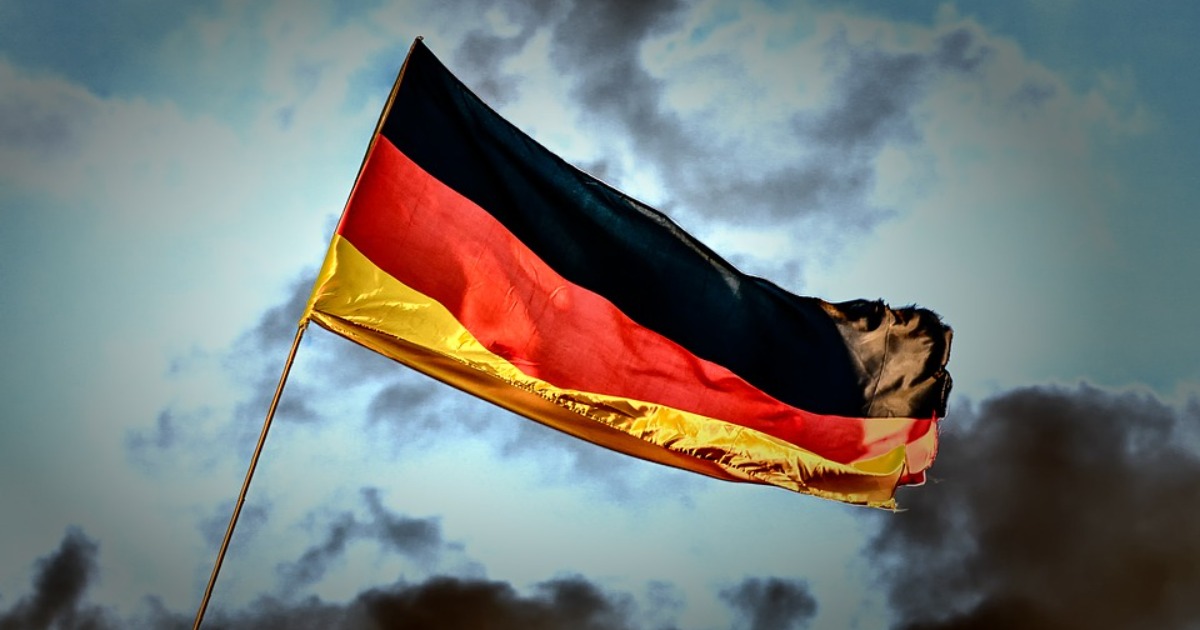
column 1055, row 509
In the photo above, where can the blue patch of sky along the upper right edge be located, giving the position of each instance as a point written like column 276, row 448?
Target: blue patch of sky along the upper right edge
column 1147, row 286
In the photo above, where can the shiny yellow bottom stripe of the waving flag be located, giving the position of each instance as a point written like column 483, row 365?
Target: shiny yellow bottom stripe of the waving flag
column 356, row 299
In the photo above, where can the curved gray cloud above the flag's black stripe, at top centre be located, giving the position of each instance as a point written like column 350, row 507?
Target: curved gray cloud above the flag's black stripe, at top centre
column 598, row 46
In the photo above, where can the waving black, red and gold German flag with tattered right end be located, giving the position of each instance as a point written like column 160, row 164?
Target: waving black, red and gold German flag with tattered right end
column 472, row 254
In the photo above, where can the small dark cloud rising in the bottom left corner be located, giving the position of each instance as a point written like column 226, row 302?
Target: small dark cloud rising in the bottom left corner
column 59, row 584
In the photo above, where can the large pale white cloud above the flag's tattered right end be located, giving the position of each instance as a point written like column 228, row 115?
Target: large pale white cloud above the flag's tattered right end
column 1007, row 229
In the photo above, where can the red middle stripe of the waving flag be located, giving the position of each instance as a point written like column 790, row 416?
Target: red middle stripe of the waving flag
column 441, row 244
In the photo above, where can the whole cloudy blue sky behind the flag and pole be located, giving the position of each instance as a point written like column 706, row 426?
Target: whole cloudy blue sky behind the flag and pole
column 171, row 176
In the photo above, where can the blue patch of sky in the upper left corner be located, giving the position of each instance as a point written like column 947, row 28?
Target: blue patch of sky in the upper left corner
column 157, row 51
